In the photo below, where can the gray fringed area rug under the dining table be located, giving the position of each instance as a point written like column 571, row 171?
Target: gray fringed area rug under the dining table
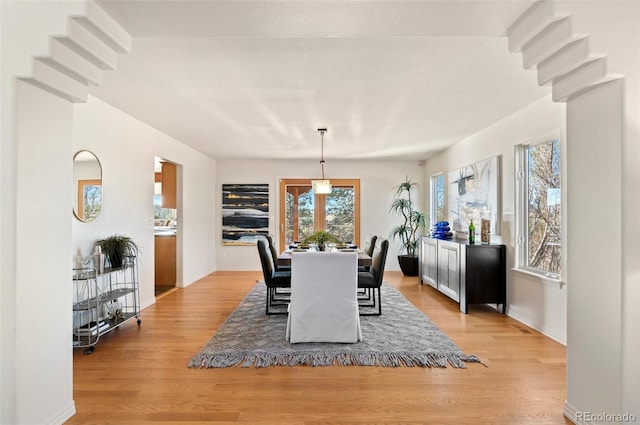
column 402, row 336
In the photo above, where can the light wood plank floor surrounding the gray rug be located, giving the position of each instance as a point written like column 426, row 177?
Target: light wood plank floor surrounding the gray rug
column 139, row 374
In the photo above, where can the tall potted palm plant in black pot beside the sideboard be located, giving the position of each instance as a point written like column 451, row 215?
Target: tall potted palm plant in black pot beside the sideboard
column 408, row 232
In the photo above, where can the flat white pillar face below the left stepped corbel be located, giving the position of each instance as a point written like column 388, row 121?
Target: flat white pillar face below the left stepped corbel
column 43, row 275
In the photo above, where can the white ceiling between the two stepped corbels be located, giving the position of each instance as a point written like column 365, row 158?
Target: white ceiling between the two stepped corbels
column 256, row 79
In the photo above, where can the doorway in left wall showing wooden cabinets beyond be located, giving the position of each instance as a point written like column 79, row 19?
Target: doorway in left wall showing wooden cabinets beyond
column 165, row 225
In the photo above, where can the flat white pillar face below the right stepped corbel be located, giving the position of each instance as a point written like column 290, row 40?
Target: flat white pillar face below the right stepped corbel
column 595, row 271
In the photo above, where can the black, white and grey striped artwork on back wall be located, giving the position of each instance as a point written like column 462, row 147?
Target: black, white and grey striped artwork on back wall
column 245, row 213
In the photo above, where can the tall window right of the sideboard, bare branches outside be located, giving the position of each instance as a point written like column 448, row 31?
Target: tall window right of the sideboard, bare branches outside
column 539, row 207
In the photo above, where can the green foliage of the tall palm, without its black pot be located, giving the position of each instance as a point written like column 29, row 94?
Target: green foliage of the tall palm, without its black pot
column 412, row 219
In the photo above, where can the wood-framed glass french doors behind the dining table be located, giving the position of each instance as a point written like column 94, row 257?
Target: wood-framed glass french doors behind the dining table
column 302, row 212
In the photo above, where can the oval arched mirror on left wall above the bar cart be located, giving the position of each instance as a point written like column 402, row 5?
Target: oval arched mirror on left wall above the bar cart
column 87, row 186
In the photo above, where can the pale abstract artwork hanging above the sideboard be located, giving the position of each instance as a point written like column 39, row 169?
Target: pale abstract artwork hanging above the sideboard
column 474, row 195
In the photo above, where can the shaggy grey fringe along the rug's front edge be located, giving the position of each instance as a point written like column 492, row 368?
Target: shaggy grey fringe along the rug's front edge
column 341, row 359
